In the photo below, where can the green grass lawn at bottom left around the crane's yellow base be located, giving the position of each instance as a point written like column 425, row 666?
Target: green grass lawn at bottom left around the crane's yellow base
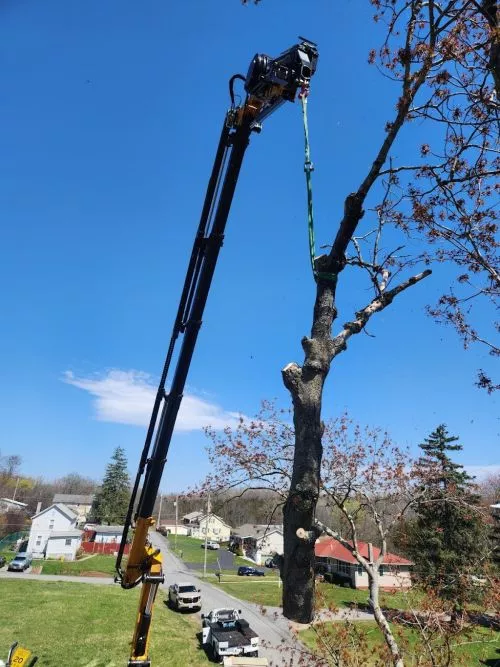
column 86, row 625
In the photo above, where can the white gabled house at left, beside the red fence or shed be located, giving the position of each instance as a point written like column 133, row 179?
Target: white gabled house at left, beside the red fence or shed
column 53, row 533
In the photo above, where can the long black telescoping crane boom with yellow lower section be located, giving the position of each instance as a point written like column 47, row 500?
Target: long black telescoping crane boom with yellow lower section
column 269, row 83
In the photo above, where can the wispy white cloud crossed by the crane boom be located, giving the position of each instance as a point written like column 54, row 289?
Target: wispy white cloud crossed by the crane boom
column 126, row 397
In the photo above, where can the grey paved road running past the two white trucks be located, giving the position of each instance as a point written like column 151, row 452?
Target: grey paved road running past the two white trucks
column 272, row 627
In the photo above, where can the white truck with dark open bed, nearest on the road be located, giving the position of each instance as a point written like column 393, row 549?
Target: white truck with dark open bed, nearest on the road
column 225, row 634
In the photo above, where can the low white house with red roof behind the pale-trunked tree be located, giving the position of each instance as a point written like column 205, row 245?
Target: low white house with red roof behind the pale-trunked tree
column 395, row 571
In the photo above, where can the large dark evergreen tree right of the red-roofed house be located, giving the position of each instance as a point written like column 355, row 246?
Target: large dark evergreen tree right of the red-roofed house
column 447, row 540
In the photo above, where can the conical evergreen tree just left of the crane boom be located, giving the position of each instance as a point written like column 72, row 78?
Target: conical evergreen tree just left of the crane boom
column 111, row 501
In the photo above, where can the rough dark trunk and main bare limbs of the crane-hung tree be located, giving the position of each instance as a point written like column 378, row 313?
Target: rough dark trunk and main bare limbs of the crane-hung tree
column 305, row 384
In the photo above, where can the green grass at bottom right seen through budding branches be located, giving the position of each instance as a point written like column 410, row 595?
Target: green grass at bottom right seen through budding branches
column 477, row 645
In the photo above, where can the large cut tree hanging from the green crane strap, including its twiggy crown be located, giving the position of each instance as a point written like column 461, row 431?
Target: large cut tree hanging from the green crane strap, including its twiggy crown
column 438, row 55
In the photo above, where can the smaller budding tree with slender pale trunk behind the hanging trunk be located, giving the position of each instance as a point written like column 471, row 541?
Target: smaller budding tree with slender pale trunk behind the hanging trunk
column 363, row 475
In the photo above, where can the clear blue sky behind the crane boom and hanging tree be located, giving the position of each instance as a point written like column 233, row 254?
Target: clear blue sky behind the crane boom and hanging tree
column 110, row 115
